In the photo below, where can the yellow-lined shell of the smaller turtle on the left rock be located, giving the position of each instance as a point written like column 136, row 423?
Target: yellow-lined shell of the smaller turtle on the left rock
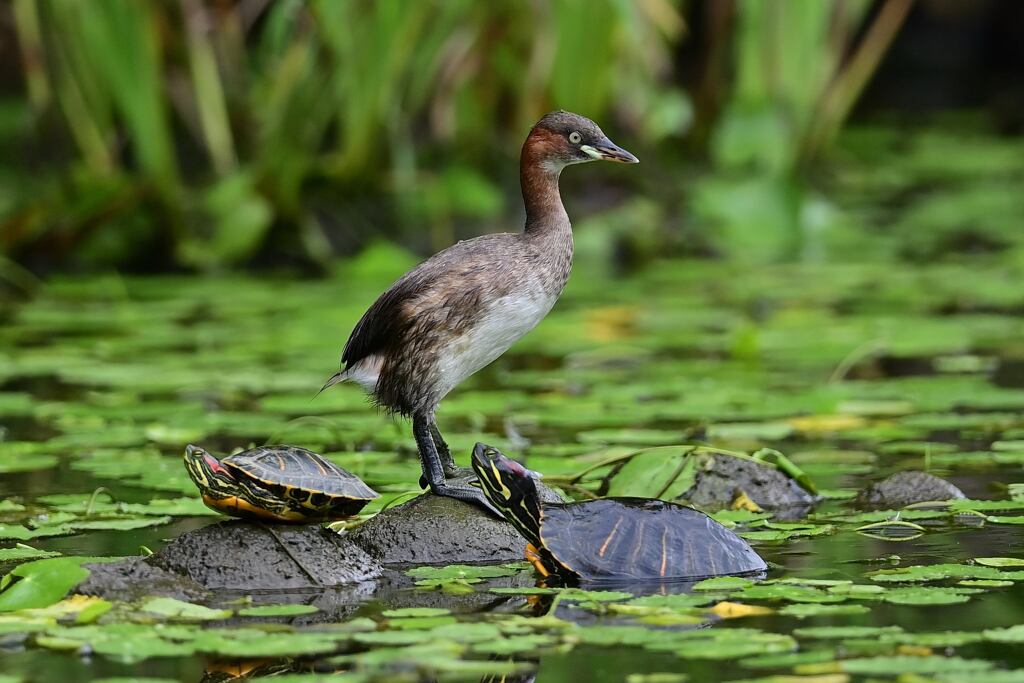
column 302, row 477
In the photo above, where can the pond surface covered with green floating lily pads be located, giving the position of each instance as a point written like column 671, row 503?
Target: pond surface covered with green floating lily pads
column 852, row 371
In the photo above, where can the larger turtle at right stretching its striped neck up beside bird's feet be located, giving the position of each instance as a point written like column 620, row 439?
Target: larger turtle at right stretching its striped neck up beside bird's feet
column 614, row 538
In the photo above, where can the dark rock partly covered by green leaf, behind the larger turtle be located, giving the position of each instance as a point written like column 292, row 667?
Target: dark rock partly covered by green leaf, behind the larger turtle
column 723, row 478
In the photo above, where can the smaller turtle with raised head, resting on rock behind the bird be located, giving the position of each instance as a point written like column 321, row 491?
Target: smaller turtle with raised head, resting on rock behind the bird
column 277, row 484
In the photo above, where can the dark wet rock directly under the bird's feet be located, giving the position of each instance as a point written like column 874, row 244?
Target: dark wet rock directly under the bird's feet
column 433, row 530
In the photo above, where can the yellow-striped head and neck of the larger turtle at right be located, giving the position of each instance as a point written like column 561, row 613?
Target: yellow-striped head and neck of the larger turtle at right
column 510, row 488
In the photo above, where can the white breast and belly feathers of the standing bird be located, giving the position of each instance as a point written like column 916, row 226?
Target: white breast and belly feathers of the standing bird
column 503, row 322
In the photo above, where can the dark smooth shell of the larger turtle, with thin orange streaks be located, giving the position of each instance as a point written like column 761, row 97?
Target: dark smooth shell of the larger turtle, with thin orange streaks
column 642, row 539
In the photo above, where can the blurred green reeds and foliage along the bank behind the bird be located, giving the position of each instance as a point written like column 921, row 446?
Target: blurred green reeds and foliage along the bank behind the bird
column 205, row 136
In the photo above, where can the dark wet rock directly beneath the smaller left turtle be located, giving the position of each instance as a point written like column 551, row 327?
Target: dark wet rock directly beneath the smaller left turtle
column 243, row 557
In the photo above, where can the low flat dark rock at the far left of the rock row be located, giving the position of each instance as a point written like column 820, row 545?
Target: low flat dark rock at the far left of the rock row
column 135, row 578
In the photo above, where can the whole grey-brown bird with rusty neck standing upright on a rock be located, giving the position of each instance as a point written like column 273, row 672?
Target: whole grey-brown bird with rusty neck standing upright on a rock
column 463, row 308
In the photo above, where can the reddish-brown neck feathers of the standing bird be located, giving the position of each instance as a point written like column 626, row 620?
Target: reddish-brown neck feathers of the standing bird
column 539, row 170
